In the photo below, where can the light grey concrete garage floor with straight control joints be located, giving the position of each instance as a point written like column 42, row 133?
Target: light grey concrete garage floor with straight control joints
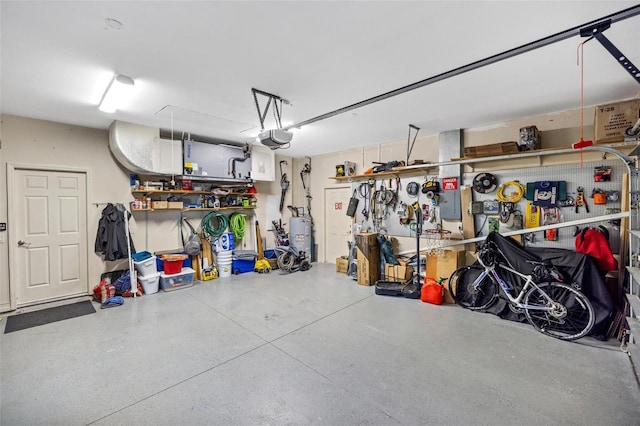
column 306, row 348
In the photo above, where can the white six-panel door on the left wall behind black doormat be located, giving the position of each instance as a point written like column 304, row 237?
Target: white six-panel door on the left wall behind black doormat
column 49, row 241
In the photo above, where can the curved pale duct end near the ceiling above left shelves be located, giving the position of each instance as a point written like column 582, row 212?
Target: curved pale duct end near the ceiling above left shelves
column 141, row 150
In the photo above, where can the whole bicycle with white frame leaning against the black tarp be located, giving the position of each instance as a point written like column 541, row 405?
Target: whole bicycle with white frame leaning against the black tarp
column 551, row 307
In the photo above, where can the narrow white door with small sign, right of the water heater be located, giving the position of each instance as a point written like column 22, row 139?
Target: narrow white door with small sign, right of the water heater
column 337, row 226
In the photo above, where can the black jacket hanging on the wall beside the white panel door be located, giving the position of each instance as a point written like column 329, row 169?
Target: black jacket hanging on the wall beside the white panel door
column 111, row 239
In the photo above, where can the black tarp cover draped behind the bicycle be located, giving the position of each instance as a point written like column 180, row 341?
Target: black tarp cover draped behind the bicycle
column 575, row 267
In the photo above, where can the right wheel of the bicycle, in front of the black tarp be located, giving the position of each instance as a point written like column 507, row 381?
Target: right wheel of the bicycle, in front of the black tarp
column 569, row 317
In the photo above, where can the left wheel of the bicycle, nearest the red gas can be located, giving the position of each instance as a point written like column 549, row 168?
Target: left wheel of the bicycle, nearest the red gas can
column 472, row 289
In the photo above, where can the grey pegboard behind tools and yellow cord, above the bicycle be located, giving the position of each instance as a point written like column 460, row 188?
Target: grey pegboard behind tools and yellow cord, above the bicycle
column 575, row 175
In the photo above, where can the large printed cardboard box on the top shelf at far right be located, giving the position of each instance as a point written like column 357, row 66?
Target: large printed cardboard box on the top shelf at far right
column 613, row 119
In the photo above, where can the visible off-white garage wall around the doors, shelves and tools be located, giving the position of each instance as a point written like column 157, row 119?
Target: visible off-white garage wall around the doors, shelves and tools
column 39, row 142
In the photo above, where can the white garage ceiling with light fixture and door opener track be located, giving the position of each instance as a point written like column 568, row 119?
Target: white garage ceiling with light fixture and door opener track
column 197, row 61
